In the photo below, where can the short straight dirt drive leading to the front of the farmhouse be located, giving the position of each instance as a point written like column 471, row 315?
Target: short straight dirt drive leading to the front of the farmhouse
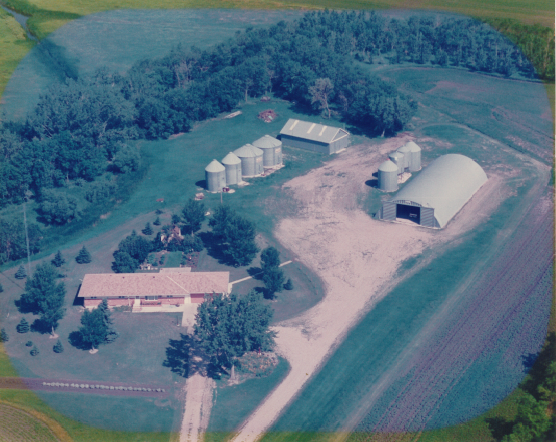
column 198, row 402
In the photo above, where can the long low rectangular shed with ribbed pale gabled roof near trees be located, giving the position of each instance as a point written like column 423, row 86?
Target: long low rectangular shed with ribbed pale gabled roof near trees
column 313, row 136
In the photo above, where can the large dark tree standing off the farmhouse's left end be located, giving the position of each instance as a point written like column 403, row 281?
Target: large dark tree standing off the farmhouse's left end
column 45, row 295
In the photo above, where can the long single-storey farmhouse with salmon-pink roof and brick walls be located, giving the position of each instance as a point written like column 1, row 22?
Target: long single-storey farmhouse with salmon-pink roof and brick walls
column 166, row 288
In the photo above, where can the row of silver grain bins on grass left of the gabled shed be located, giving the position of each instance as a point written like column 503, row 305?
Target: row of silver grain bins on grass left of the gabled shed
column 250, row 160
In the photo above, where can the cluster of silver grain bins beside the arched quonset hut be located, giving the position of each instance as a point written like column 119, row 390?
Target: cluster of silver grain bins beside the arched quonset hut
column 406, row 159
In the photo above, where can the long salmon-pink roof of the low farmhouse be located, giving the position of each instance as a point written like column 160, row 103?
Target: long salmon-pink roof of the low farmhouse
column 102, row 285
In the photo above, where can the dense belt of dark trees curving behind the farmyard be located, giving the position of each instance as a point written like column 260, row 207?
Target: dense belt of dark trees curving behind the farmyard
column 80, row 133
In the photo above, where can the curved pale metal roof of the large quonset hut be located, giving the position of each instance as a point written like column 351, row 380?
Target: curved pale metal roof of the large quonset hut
column 445, row 185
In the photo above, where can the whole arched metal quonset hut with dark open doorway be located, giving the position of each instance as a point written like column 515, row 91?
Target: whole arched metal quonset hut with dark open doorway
column 439, row 192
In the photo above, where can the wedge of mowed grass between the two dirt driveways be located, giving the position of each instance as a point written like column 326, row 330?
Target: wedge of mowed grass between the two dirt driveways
column 233, row 404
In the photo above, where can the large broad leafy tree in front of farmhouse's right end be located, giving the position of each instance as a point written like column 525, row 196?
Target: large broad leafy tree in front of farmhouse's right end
column 229, row 326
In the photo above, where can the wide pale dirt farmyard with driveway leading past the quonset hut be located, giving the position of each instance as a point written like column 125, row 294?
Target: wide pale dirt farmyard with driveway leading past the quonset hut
column 355, row 256
